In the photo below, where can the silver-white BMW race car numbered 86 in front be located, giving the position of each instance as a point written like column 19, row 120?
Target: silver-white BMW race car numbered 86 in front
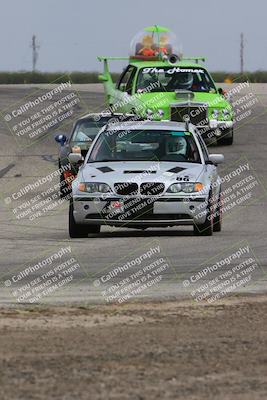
column 146, row 174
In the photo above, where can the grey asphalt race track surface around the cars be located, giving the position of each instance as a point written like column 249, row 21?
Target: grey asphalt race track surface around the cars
column 25, row 243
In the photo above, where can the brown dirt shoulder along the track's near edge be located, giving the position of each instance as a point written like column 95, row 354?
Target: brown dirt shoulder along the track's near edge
column 170, row 350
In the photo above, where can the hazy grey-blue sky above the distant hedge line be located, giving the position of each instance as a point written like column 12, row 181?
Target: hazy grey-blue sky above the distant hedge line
column 72, row 33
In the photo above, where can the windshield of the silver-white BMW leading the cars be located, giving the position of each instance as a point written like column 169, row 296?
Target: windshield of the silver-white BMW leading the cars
column 145, row 145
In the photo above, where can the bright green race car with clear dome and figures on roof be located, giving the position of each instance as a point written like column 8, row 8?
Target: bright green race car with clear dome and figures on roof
column 160, row 84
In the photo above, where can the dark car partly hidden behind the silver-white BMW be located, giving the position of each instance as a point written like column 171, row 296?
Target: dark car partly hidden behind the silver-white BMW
column 80, row 139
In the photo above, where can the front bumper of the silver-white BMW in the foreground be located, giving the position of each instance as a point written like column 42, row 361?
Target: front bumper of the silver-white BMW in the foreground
column 147, row 211
